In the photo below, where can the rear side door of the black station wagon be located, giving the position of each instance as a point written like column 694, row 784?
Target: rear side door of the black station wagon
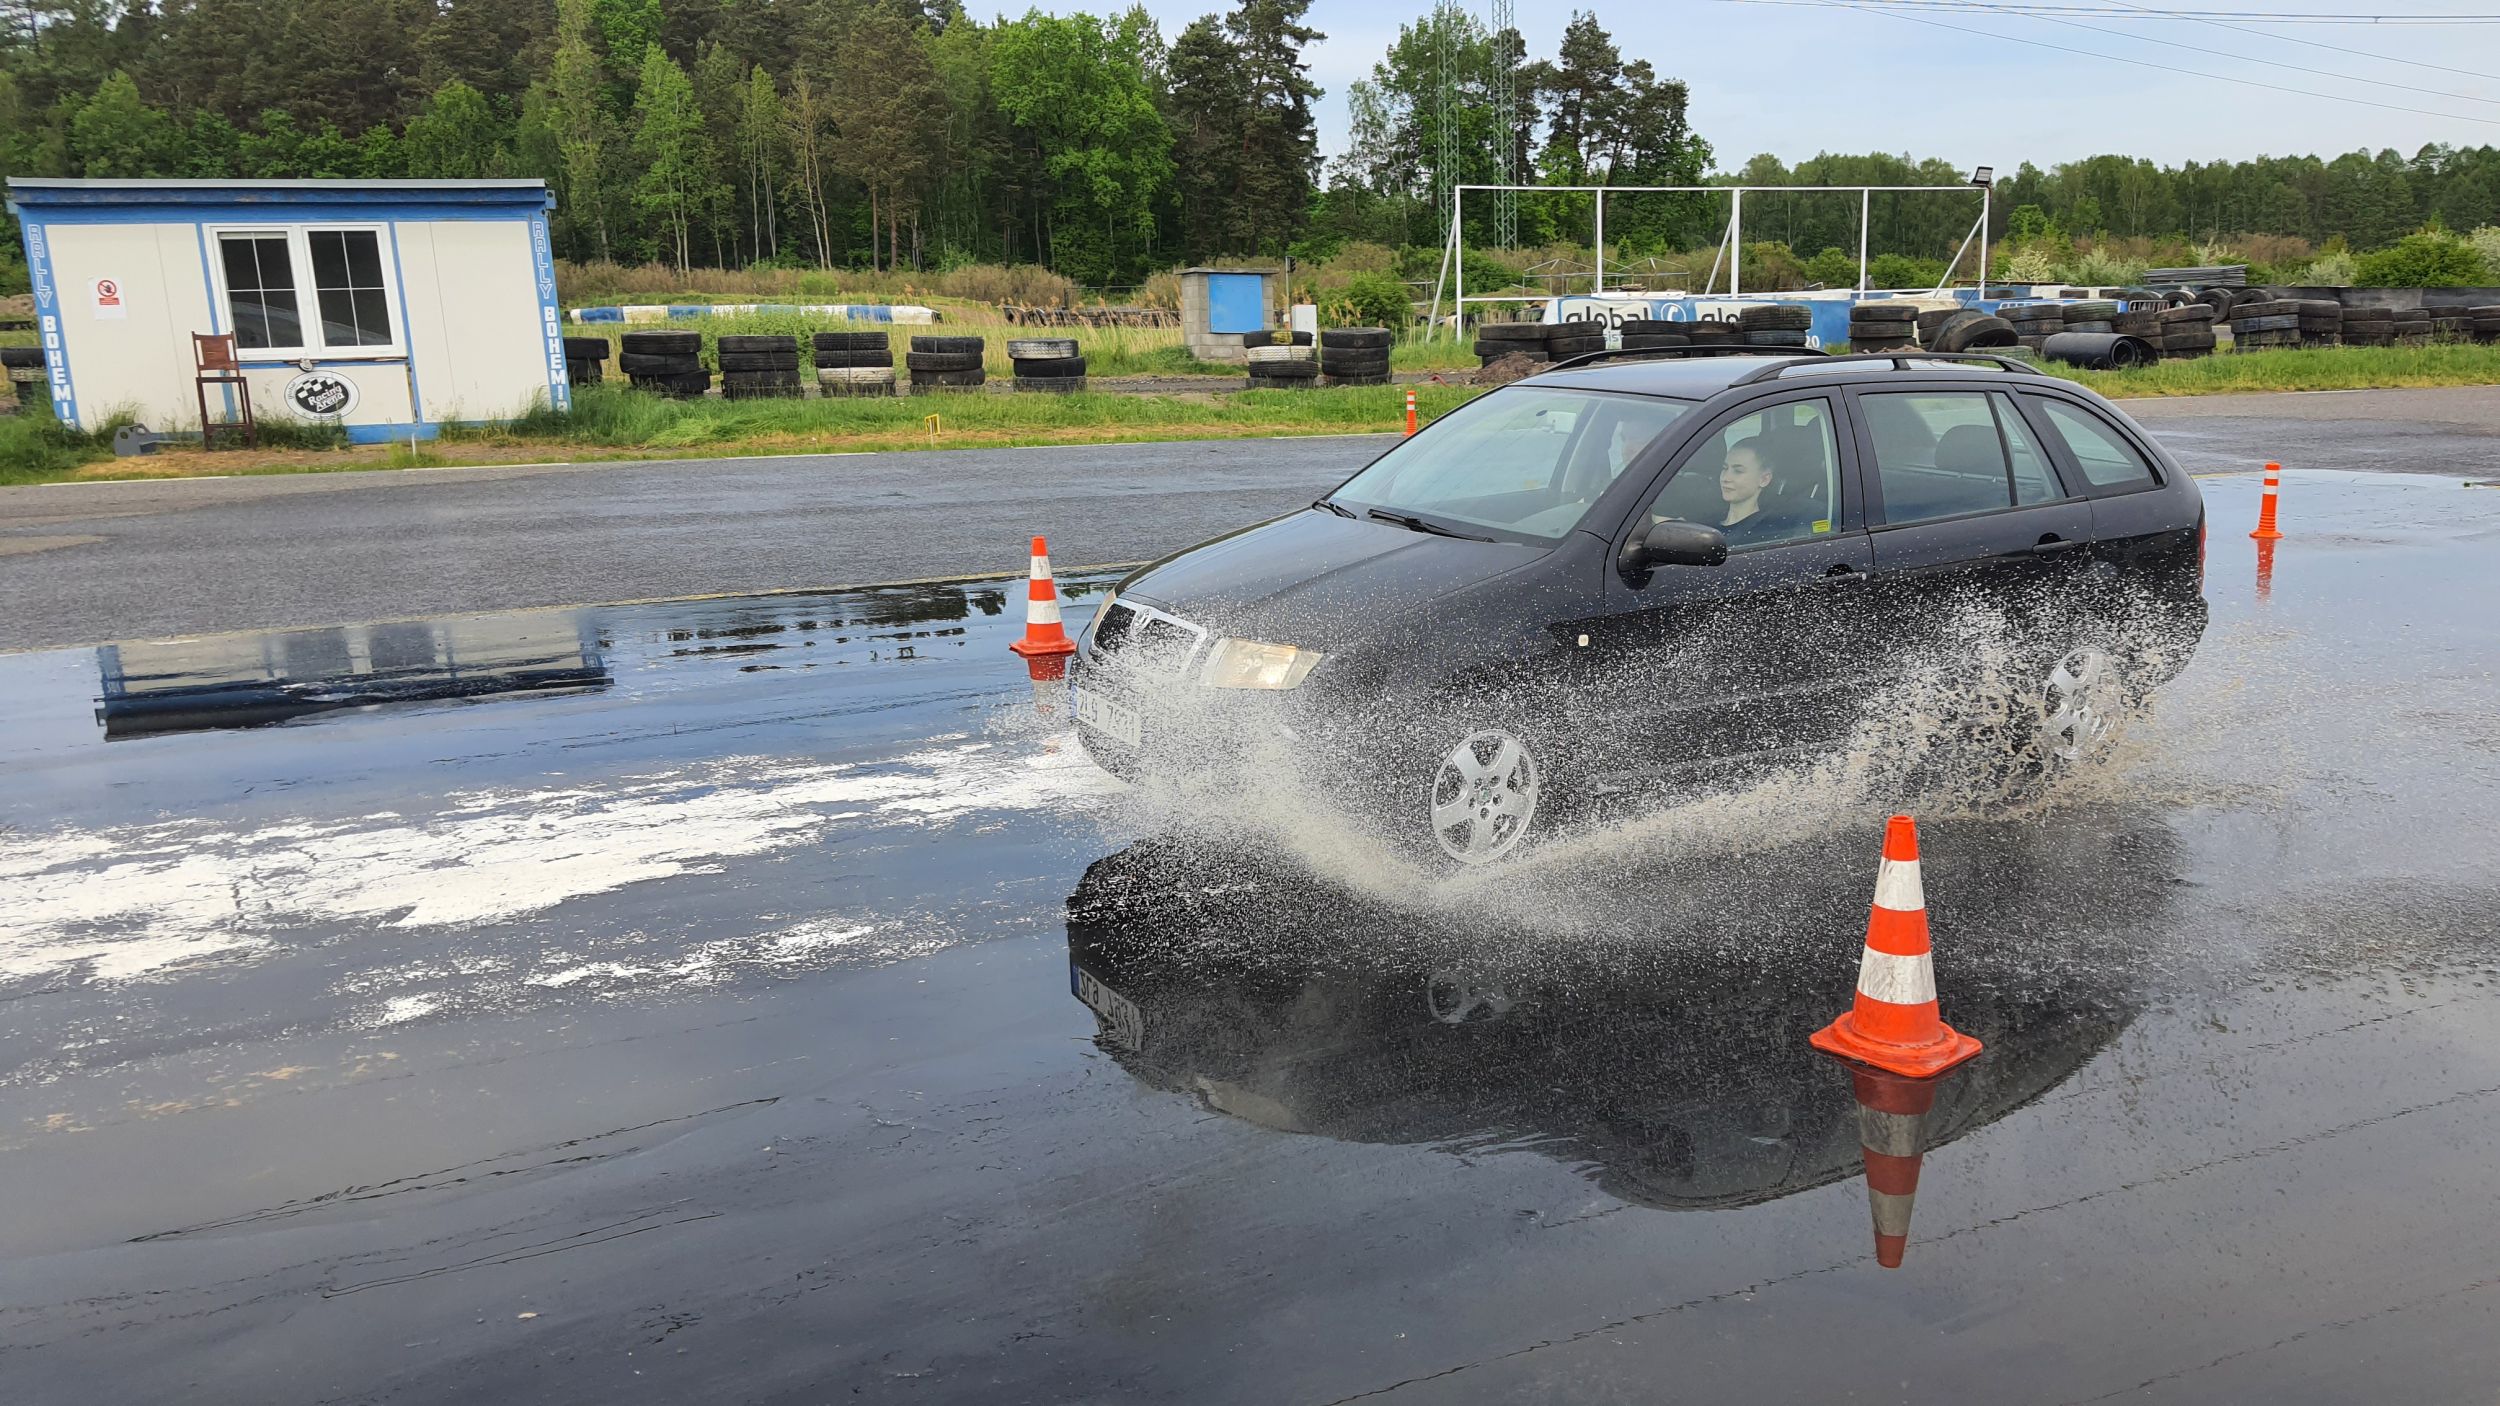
column 1971, row 522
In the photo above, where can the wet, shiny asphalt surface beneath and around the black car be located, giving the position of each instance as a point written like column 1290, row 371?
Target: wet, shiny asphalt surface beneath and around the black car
column 756, row 1002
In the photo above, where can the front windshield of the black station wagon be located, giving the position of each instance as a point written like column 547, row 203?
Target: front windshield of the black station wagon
column 1524, row 462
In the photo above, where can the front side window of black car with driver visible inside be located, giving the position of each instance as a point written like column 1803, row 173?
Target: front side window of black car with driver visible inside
column 1761, row 479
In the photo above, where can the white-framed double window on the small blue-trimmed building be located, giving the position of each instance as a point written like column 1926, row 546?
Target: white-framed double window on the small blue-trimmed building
column 274, row 279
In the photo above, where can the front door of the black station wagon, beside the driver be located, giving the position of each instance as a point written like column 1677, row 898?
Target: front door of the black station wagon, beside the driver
column 1701, row 664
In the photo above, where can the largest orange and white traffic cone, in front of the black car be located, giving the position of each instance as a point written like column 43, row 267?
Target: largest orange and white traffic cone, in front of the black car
column 1894, row 1024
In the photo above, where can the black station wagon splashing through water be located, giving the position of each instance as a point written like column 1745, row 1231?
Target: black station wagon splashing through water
column 1641, row 569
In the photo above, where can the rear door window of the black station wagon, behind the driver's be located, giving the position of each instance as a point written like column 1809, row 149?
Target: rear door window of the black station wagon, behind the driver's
column 1954, row 452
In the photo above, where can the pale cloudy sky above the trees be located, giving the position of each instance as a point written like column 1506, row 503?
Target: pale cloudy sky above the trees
column 1796, row 79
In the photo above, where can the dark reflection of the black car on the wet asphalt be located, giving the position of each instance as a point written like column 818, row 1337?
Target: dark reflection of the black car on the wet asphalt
column 1671, row 1065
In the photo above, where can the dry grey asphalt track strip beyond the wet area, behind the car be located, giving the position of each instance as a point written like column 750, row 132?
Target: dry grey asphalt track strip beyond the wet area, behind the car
column 106, row 562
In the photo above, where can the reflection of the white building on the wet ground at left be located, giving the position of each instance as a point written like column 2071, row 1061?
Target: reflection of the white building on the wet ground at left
column 249, row 682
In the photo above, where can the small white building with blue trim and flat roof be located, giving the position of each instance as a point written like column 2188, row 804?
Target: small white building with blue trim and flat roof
column 389, row 306
